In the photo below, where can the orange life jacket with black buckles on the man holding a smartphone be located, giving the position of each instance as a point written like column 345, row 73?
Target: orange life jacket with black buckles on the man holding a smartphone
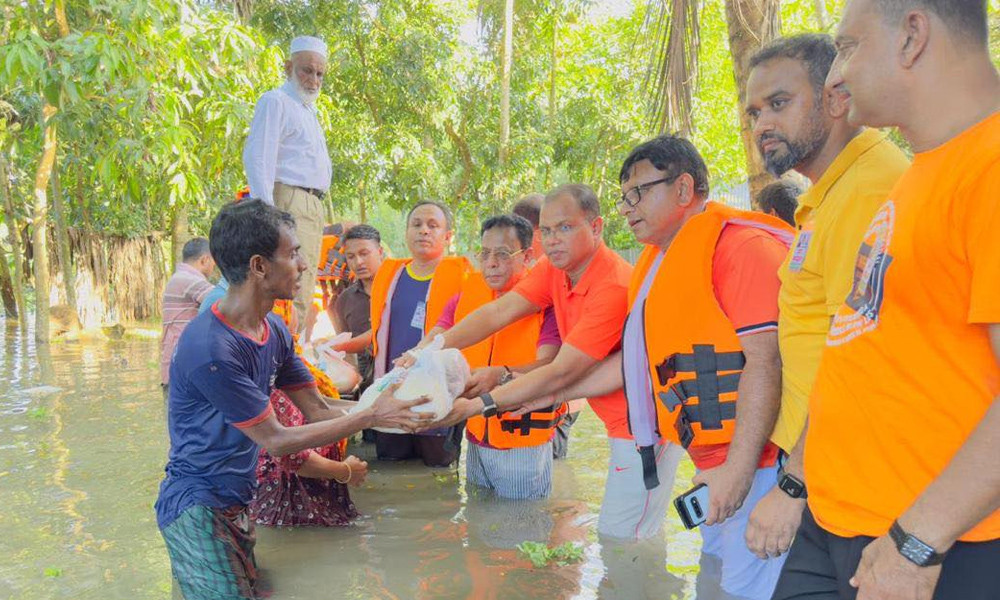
column 695, row 357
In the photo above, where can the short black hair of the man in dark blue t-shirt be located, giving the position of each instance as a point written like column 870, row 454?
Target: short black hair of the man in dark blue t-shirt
column 243, row 230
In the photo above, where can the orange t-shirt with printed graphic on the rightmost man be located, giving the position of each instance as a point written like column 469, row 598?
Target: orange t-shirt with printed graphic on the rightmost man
column 908, row 371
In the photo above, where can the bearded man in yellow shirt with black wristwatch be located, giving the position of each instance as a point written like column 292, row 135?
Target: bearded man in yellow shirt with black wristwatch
column 800, row 124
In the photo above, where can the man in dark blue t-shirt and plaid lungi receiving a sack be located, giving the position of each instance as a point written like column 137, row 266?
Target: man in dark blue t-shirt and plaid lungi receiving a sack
column 226, row 364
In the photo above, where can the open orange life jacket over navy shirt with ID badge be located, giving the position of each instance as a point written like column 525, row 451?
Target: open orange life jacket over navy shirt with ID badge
column 446, row 282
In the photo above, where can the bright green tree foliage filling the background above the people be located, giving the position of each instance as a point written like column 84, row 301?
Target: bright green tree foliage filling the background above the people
column 155, row 98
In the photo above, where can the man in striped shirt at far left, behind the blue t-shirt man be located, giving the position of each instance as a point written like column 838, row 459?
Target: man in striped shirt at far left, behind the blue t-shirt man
column 182, row 296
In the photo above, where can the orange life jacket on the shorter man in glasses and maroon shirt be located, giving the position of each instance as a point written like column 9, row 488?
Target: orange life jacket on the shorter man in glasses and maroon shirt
column 512, row 346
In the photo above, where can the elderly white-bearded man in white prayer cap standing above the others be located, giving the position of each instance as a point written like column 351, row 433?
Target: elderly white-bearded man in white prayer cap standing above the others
column 285, row 155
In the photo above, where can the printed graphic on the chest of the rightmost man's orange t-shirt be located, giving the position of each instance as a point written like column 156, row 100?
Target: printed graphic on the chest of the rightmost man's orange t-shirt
column 860, row 312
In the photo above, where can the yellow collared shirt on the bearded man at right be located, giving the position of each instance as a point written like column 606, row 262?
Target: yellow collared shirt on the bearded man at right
column 816, row 276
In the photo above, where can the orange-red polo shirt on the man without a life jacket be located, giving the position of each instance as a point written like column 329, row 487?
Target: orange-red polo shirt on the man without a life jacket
column 590, row 315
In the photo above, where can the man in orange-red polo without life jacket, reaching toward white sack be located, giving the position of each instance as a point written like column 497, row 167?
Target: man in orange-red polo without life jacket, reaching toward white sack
column 586, row 283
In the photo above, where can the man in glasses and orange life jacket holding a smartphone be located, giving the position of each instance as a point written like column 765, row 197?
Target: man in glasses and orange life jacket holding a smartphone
column 699, row 359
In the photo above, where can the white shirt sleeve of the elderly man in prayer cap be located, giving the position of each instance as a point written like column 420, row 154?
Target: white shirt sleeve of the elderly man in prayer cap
column 260, row 154
